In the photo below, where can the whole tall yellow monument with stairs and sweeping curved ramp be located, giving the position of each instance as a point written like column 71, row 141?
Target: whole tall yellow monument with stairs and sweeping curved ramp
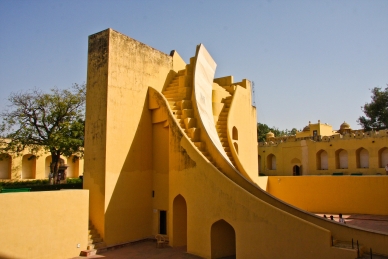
column 147, row 150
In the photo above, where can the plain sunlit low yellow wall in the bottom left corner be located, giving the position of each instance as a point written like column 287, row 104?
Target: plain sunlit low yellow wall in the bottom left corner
column 43, row 224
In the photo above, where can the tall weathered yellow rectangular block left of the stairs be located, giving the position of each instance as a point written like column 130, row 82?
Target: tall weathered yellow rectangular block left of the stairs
column 118, row 146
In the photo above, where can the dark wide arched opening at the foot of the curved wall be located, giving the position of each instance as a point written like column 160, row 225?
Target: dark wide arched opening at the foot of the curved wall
column 223, row 240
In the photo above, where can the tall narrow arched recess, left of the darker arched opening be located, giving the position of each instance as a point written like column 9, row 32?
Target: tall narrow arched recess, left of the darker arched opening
column 179, row 221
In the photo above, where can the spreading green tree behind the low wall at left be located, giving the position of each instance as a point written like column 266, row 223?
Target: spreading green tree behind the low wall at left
column 53, row 121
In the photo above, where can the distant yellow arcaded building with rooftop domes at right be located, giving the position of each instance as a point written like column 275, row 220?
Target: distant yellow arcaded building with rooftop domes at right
column 320, row 150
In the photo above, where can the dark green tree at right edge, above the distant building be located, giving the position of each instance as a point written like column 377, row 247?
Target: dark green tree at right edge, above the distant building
column 376, row 112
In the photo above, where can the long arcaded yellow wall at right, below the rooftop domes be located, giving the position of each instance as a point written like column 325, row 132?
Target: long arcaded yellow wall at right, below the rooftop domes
column 307, row 153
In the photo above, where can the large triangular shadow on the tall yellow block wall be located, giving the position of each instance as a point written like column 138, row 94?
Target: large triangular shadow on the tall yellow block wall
column 132, row 191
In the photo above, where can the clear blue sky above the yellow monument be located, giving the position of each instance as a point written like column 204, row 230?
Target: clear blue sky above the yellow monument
column 310, row 60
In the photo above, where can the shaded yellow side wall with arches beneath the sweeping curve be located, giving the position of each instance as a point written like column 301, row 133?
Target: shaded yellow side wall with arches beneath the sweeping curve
column 262, row 231
